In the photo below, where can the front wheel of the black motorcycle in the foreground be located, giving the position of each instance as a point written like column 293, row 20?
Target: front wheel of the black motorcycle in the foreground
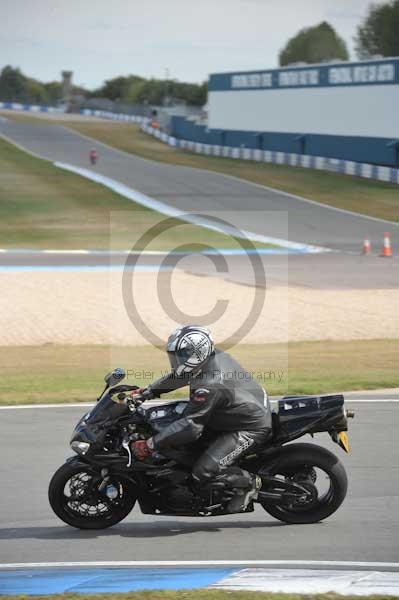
column 76, row 498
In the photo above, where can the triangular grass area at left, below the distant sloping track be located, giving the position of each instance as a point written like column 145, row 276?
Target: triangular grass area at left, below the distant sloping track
column 43, row 207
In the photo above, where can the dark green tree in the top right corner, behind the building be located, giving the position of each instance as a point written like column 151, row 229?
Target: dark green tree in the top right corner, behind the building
column 379, row 32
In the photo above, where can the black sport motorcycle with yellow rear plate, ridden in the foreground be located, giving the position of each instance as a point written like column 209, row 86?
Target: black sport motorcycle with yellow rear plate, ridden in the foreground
column 301, row 483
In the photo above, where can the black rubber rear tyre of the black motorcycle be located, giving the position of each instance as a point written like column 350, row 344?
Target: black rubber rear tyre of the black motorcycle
column 291, row 459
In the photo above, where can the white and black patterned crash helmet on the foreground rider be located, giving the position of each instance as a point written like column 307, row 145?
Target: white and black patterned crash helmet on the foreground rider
column 189, row 349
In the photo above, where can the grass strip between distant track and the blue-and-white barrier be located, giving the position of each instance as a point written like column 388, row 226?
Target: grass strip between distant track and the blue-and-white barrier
column 373, row 198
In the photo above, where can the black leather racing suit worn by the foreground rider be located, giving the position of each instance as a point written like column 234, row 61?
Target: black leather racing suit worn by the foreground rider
column 225, row 400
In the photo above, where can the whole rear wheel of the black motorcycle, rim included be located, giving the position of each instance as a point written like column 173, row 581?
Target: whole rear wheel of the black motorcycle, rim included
column 316, row 469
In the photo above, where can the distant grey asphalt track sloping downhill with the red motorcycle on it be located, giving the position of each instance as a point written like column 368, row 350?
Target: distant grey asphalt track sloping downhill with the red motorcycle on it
column 189, row 190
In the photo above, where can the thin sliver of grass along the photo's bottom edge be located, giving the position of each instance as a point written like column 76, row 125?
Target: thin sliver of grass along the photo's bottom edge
column 200, row 595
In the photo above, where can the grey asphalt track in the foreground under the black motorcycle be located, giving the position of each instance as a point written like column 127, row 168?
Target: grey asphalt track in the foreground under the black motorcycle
column 34, row 442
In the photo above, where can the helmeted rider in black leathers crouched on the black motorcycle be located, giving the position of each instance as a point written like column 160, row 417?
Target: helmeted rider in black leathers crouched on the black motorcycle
column 224, row 400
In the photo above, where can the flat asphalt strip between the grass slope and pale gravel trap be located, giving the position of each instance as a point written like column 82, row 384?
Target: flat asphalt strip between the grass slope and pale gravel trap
column 321, row 271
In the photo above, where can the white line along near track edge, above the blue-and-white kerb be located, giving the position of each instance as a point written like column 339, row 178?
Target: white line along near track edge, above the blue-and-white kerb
column 204, row 563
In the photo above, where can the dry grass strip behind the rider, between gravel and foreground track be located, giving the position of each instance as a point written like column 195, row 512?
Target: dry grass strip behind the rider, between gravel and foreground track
column 52, row 373
